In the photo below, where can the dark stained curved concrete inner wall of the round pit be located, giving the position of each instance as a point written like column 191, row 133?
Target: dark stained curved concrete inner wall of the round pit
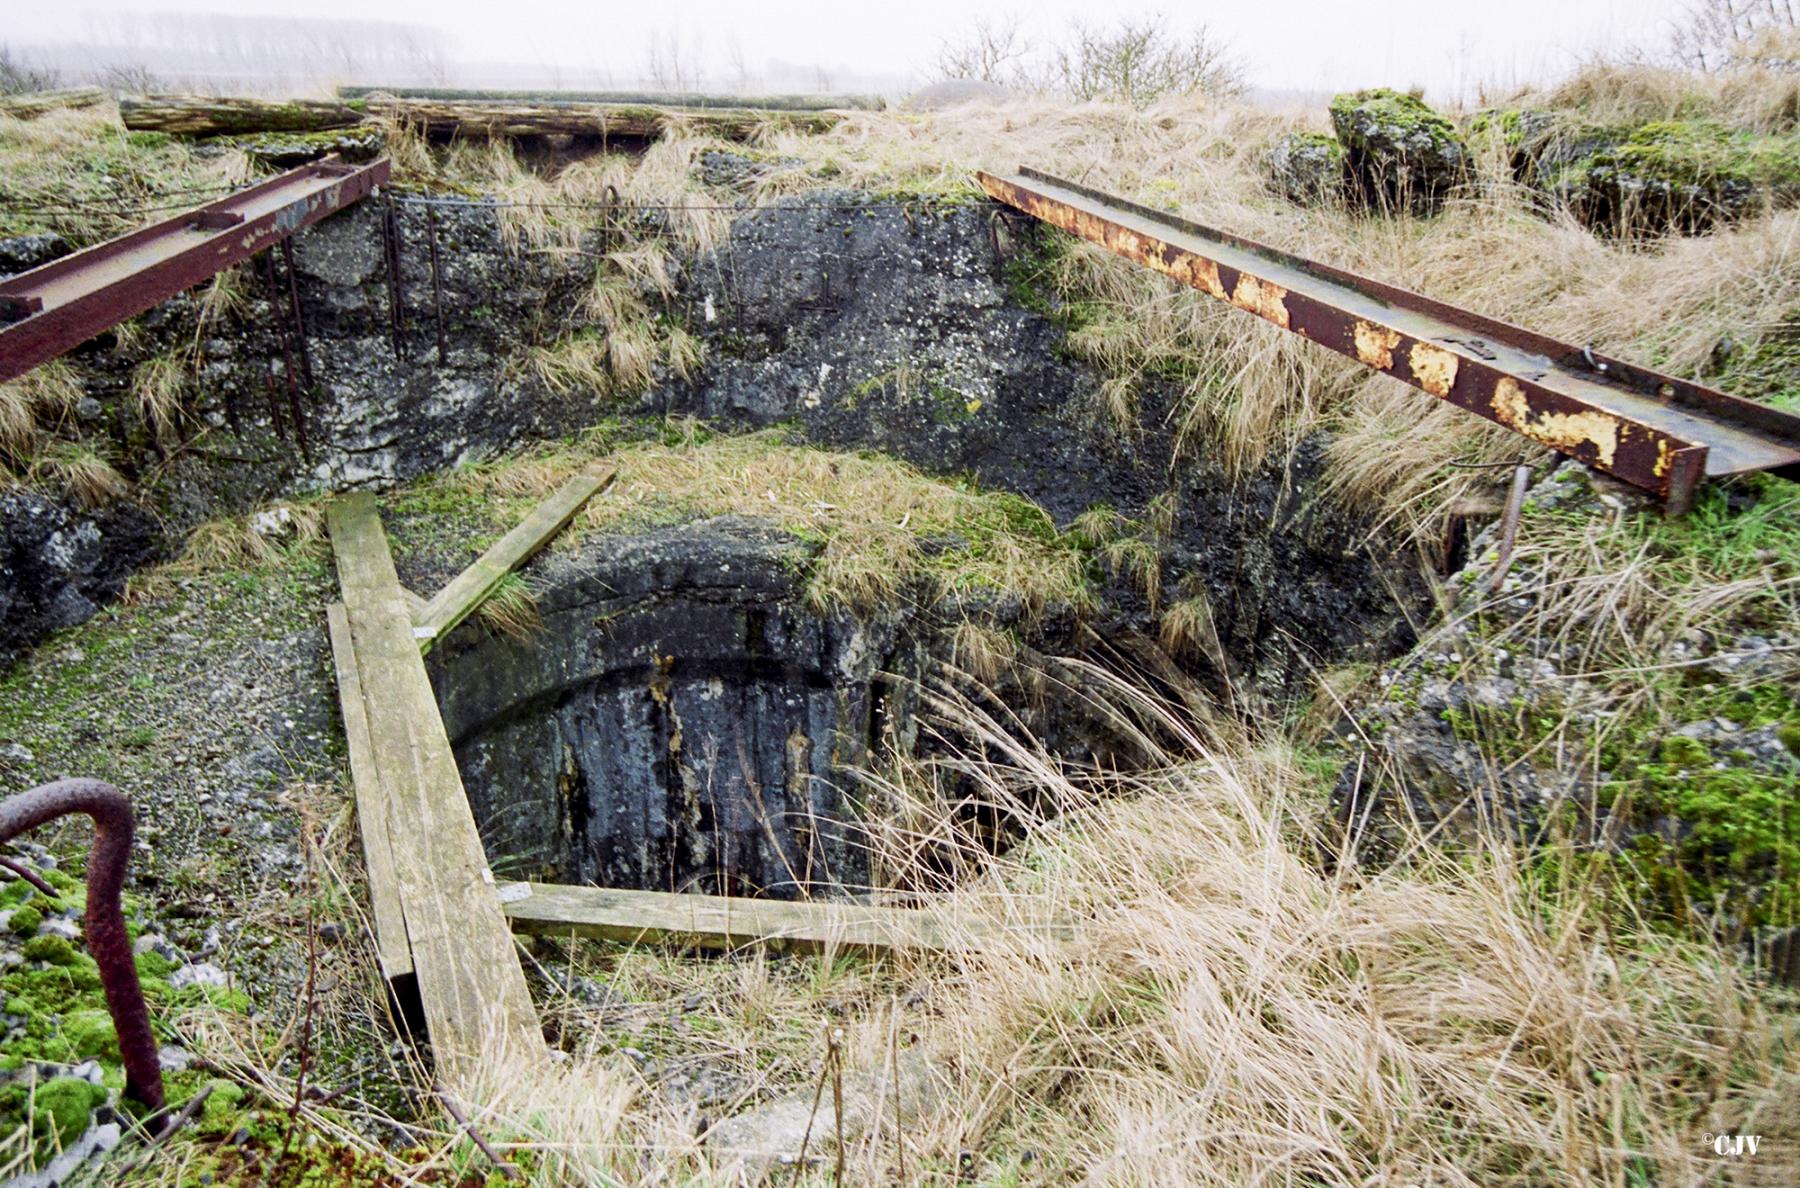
column 681, row 723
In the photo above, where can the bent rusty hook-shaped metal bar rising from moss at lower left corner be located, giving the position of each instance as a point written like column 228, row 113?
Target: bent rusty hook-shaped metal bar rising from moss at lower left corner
column 105, row 917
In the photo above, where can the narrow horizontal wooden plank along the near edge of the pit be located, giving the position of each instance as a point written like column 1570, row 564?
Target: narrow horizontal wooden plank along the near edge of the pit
column 726, row 922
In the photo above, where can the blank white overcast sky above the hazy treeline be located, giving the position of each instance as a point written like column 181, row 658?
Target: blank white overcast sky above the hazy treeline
column 1446, row 46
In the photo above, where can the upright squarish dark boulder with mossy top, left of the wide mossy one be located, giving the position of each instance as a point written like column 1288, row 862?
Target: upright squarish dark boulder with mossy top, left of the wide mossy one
column 1401, row 154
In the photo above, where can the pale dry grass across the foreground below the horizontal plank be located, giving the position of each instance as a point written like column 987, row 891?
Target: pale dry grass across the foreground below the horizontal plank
column 1228, row 1012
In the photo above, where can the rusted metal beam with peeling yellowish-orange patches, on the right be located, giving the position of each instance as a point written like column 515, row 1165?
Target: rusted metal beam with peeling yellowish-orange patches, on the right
column 1653, row 431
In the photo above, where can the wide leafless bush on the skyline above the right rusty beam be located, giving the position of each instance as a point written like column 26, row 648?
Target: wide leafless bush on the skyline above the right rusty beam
column 1142, row 60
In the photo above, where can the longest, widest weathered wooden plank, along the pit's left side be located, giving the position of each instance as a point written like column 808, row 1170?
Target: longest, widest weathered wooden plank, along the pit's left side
column 472, row 989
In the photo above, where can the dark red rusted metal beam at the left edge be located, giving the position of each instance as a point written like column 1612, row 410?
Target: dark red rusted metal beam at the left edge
column 73, row 300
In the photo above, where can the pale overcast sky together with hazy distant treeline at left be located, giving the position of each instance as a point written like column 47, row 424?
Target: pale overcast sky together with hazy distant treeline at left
column 1452, row 51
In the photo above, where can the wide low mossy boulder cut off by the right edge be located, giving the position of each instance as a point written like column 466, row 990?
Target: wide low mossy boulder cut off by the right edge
column 1680, row 175
